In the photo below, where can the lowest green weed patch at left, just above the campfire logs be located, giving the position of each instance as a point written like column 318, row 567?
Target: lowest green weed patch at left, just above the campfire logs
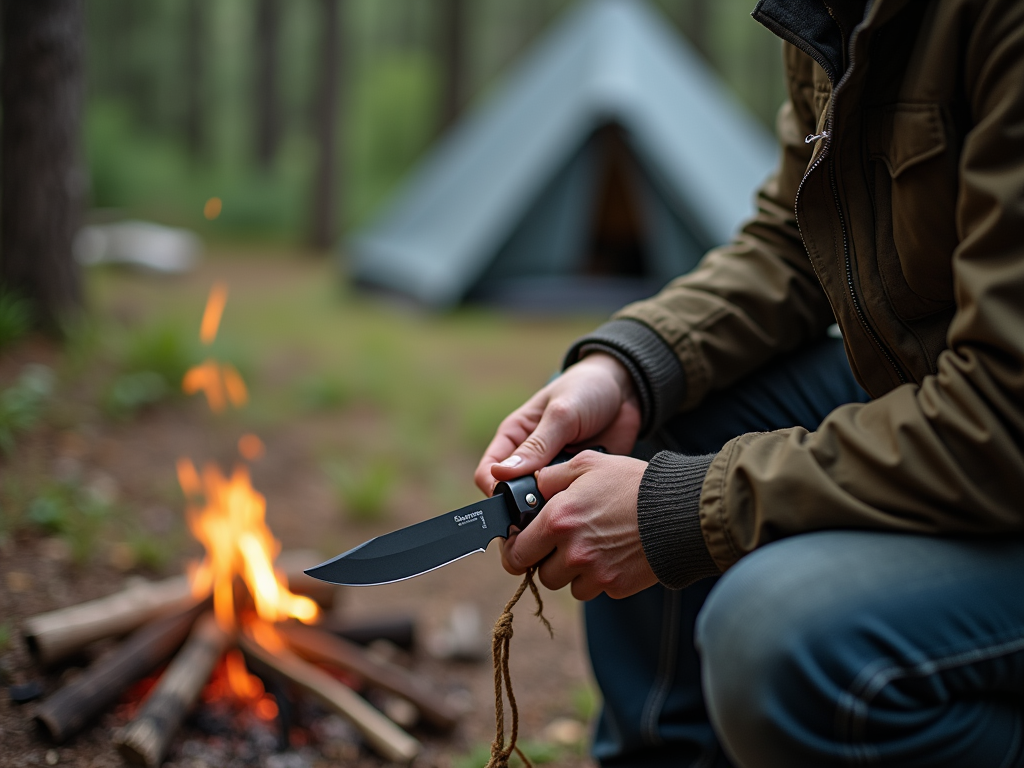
column 70, row 511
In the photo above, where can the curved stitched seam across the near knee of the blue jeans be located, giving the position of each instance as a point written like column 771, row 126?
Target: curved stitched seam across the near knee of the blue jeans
column 854, row 705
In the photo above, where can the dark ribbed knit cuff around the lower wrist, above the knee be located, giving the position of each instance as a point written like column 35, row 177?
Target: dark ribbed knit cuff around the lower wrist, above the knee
column 668, row 513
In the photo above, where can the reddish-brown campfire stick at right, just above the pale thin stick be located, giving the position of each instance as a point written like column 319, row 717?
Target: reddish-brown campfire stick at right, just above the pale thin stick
column 317, row 646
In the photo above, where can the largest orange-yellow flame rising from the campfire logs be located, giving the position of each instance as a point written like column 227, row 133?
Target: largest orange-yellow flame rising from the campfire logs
column 232, row 527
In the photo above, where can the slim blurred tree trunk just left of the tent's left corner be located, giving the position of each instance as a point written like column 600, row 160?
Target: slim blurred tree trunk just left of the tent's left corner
column 327, row 196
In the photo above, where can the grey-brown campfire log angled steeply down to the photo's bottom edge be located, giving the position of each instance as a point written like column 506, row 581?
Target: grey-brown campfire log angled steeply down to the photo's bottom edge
column 146, row 741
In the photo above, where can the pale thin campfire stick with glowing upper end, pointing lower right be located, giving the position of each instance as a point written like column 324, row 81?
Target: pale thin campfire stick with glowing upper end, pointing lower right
column 386, row 738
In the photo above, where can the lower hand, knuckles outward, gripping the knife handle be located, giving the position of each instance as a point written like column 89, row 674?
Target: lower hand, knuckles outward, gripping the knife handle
column 587, row 533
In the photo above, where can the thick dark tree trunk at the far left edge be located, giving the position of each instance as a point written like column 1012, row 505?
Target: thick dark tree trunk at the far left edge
column 41, row 182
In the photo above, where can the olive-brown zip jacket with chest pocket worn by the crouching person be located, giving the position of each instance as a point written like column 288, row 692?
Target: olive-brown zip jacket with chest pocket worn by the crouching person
column 899, row 212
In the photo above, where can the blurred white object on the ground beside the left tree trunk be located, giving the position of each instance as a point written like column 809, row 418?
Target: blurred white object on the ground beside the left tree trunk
column 141, row 244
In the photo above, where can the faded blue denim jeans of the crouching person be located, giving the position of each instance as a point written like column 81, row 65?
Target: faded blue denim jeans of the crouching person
column 835, row 649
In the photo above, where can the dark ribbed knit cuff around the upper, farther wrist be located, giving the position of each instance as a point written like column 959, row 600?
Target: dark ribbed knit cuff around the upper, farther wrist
column 655, row 369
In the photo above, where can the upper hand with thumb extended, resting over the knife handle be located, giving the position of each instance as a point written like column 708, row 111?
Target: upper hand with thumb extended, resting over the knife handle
column 593, row 401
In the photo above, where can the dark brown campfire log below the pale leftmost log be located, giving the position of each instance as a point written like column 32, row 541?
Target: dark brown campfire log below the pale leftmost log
column 98, row 688
